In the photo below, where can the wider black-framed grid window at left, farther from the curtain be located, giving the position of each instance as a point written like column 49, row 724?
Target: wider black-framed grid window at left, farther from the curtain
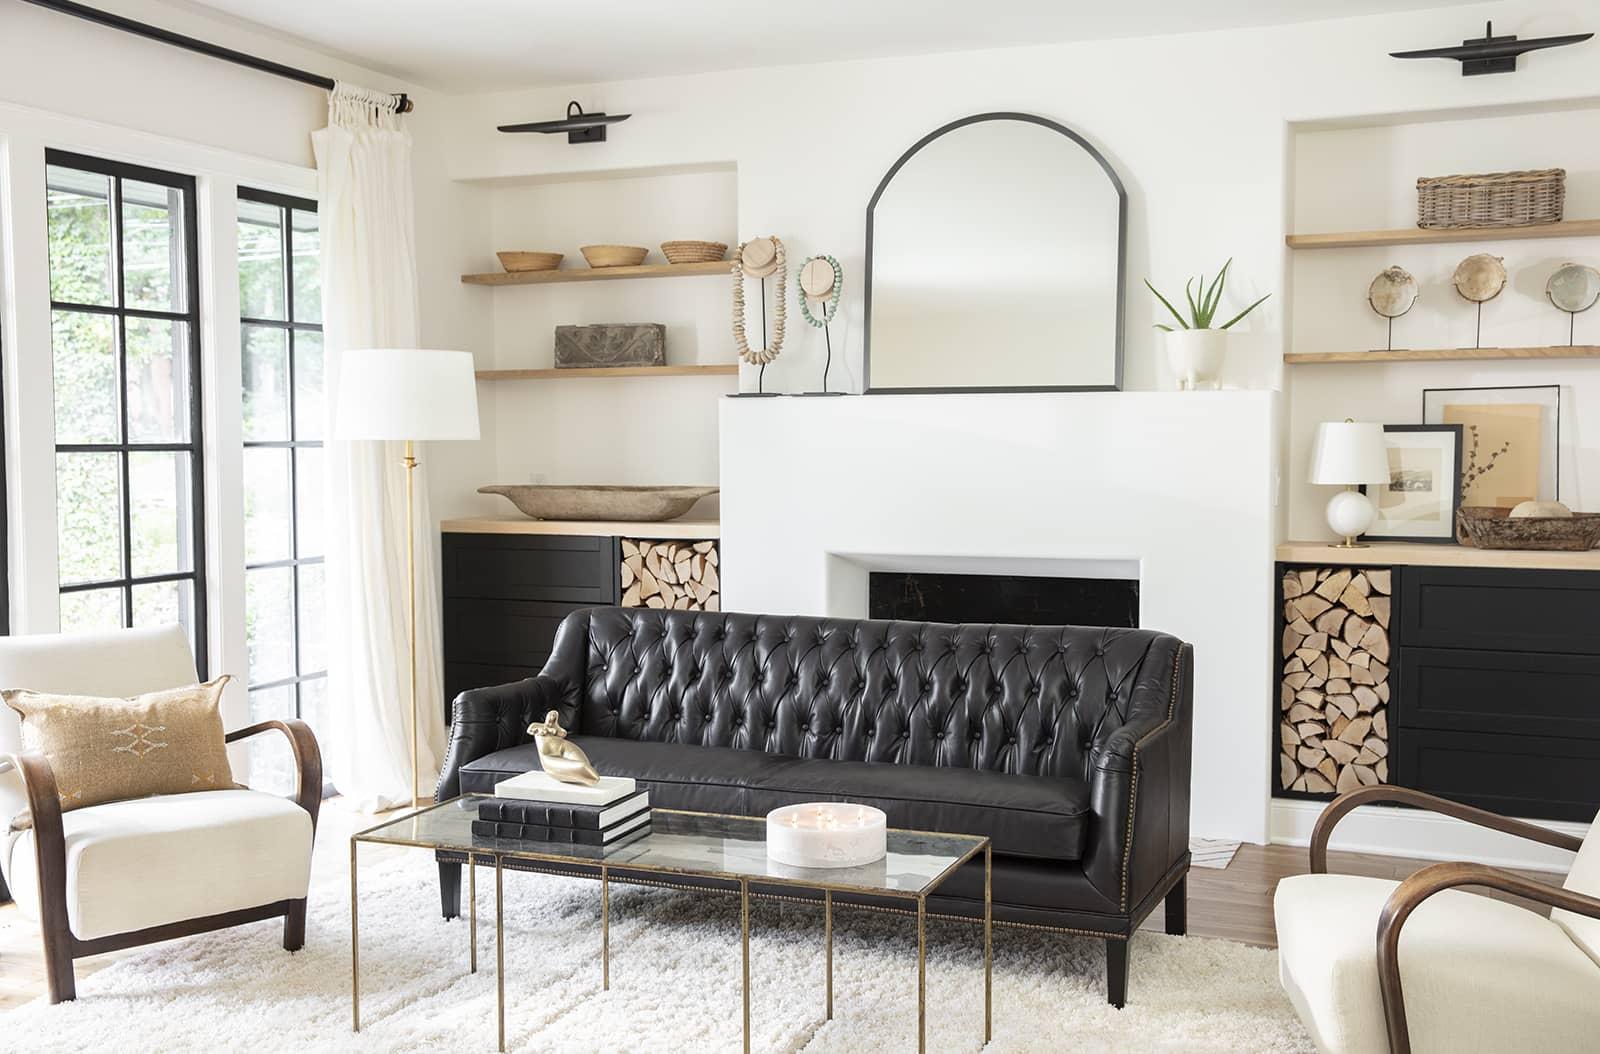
column 126, row 351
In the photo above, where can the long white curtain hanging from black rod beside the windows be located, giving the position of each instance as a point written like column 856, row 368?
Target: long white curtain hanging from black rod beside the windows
column 369, row 295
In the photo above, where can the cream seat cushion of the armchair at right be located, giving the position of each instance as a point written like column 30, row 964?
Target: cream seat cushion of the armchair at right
column 1478, row 975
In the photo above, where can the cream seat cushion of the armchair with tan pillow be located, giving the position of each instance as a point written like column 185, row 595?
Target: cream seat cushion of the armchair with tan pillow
column 170, row 858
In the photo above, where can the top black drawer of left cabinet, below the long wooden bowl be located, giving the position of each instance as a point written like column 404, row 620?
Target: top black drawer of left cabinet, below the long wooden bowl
column 550, row 569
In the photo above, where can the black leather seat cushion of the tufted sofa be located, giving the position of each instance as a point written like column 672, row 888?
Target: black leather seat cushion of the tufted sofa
column 1025, row 815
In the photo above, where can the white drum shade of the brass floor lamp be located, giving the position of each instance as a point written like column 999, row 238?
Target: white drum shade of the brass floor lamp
column 407, row 394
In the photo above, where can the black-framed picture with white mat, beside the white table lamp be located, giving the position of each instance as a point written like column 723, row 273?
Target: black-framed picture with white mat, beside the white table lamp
column 1420, row 501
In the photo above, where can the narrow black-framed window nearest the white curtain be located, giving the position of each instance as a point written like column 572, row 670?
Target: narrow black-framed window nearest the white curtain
column 281, row 335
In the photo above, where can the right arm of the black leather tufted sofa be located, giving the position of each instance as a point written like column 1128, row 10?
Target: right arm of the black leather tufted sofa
column 1140, row 783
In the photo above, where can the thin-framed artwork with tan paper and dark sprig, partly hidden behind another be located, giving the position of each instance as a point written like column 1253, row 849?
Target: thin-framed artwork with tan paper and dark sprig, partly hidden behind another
column 1510, row 441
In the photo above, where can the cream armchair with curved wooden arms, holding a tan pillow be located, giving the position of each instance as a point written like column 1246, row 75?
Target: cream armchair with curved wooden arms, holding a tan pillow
column 134, row 872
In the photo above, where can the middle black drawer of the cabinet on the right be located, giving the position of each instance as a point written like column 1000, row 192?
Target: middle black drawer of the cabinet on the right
column 1500, row 692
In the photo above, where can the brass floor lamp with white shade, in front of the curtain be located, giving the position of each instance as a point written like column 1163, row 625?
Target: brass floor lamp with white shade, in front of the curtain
column 409, row 396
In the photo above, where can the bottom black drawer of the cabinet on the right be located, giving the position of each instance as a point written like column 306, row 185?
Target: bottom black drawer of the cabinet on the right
column 1534, row 777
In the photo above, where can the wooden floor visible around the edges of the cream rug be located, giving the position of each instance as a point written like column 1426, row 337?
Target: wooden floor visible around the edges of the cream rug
column 1234, row 904
